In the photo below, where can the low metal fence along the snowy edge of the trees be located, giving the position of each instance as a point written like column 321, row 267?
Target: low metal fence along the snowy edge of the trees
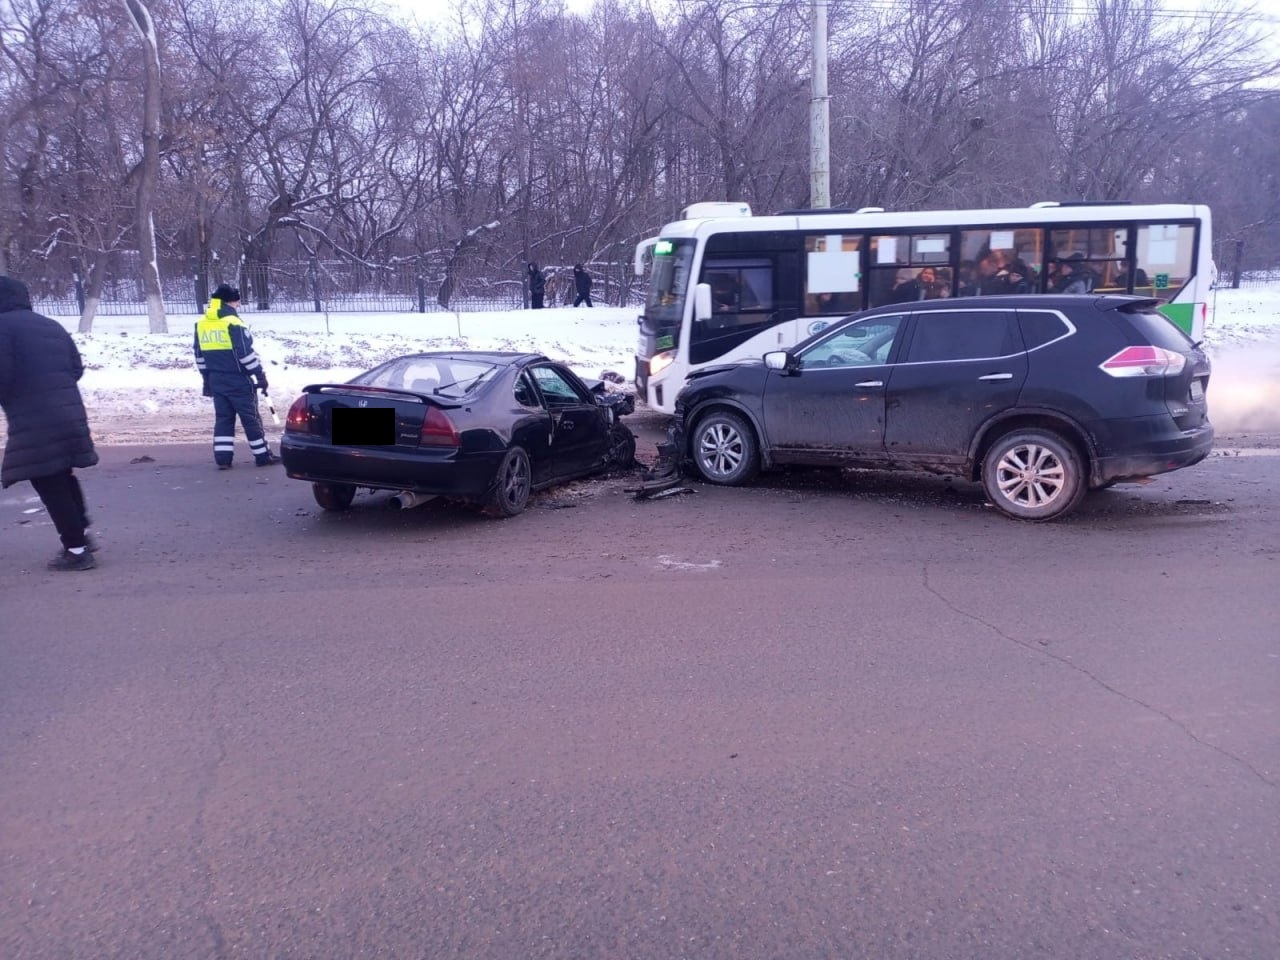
column 326, row 287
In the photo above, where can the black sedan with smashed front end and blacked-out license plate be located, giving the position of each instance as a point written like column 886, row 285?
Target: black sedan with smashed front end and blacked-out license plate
column 487, row 428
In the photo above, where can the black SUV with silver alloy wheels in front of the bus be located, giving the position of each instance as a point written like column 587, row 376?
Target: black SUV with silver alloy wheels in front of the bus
column 1041, row 399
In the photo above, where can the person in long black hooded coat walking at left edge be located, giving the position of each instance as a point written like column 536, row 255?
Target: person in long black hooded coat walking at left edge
column 49, row 437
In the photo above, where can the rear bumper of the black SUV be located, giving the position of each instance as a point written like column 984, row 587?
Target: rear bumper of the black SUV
column 1148, row 446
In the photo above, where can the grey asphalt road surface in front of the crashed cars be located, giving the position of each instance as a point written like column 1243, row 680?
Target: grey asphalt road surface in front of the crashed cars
column 821, row 717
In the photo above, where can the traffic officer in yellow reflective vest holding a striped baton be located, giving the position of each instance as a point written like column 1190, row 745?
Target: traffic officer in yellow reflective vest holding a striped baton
column 232, row 373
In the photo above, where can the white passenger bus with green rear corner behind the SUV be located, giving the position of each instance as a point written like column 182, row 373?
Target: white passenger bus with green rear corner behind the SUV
column 728, row 286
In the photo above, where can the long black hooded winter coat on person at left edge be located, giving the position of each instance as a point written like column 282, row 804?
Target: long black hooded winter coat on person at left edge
column 39, row 373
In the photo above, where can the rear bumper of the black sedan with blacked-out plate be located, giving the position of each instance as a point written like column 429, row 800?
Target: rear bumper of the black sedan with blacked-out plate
column 445, row 473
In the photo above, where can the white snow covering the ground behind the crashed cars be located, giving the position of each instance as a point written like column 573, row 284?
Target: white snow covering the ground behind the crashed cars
column 144, row 388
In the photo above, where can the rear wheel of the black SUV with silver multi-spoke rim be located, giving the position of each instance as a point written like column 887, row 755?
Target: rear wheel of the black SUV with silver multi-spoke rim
column 1034, row 476
